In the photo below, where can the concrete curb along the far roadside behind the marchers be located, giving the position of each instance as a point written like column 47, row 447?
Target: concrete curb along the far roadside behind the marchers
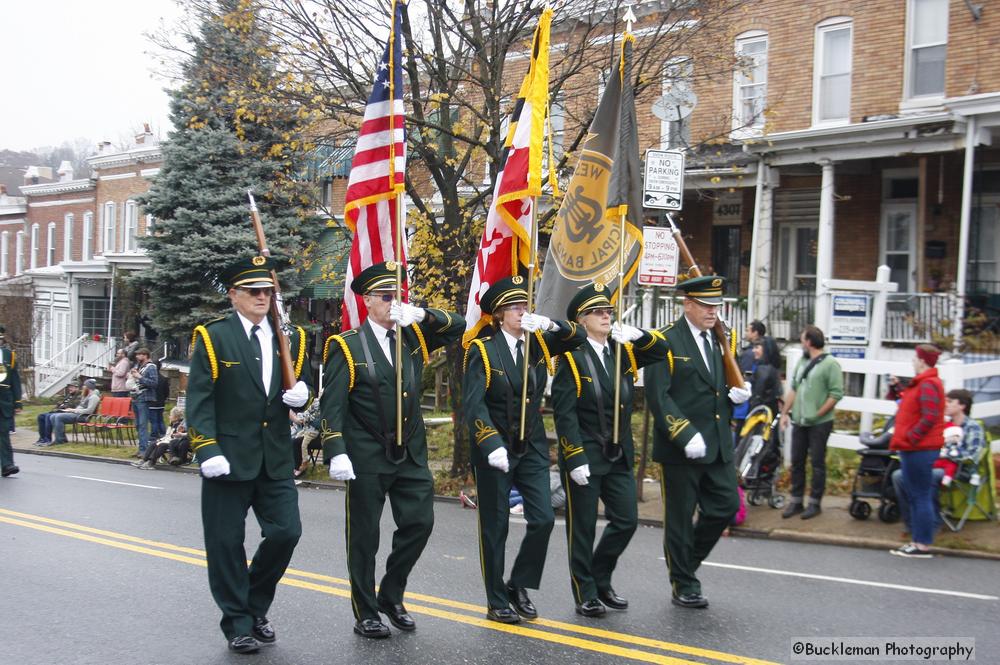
column 736, row 532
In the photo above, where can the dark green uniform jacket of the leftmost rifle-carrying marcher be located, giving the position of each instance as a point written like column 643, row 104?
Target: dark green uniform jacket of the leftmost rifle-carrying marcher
column 228, row 413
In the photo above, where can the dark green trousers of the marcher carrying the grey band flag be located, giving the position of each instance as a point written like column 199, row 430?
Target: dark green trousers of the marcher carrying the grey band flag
column 590, row 569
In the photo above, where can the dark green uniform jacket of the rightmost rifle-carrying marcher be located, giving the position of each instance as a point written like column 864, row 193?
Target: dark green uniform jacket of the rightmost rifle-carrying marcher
column 684, row 399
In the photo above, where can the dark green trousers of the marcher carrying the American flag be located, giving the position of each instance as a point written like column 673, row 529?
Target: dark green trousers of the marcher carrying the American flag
column 411, row 496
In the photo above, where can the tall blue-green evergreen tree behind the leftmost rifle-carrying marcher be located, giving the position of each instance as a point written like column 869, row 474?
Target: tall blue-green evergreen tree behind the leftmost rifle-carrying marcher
column 230, row 134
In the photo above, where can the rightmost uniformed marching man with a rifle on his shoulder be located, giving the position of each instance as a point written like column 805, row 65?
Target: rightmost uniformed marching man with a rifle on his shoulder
column 692, row 441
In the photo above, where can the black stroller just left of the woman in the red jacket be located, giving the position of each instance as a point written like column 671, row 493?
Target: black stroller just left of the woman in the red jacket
column 873, row 479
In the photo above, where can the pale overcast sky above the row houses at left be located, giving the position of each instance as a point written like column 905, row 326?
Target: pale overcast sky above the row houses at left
column 80, row 70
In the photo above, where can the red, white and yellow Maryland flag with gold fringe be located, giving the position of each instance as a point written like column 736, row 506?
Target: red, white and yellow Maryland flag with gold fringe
column 505, row 245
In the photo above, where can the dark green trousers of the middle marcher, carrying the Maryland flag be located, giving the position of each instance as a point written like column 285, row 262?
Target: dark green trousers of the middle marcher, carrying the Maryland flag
column 531, row 476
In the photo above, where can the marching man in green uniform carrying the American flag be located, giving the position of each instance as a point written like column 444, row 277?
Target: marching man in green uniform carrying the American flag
column 358, row 429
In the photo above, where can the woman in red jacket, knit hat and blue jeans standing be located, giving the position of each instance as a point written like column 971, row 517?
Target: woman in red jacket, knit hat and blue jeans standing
column 918, row 437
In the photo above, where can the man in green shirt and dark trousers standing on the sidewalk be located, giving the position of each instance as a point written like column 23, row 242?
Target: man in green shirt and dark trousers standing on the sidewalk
column 817, row 384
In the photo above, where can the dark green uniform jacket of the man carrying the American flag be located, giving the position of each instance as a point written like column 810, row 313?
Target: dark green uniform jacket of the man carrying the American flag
column 348, row 408
